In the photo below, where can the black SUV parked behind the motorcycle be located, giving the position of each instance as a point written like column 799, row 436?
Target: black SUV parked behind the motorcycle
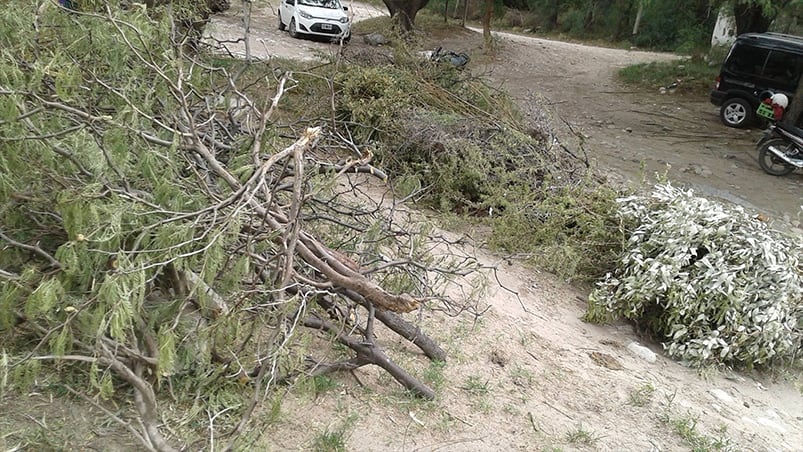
column 758, row 63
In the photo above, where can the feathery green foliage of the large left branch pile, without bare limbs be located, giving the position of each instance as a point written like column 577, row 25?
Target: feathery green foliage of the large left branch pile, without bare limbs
column 91, row 175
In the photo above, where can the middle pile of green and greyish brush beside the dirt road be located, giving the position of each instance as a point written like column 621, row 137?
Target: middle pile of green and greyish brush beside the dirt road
column 459, row 146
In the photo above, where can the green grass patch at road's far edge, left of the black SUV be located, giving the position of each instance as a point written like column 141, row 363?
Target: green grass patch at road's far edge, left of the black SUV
column 696, row 76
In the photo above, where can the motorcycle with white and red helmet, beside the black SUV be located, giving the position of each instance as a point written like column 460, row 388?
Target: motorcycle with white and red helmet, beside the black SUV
column 780, row 150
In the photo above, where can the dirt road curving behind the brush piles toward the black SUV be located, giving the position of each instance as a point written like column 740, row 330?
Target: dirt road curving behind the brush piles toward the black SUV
column 635, row 134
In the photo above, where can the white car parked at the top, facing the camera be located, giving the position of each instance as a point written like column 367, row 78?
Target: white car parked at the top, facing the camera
column 325, row 18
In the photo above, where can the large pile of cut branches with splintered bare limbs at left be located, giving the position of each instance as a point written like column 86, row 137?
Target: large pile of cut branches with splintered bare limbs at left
column 158, row 231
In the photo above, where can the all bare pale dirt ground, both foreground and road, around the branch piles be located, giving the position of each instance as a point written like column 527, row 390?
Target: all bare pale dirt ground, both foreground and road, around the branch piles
column 529, row 374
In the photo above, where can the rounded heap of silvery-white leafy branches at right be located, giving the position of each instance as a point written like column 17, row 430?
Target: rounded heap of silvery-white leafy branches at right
column 718, row 286
